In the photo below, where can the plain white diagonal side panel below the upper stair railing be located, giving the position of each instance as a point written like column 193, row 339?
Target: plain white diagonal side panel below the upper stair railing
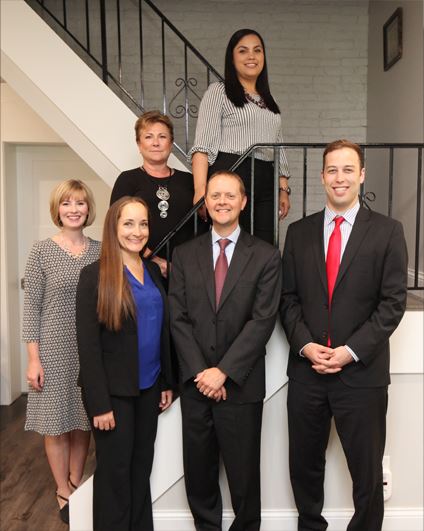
column 66, row 93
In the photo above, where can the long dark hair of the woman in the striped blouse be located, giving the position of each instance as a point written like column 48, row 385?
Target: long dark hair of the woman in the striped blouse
column 233, row 88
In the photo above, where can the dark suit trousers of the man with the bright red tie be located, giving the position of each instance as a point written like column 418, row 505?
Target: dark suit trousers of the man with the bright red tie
column 360, row 419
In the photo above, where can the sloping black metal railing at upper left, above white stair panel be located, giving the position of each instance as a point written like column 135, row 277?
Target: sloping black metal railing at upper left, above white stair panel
column 149, row 65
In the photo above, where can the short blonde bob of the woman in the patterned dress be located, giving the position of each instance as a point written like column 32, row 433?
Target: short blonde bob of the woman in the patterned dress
column 67, row 189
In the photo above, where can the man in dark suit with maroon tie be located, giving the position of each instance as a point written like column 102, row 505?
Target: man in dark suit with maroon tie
column 220, row 328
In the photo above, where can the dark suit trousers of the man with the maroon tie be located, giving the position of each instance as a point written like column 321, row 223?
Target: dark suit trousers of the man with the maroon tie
column 234, row 431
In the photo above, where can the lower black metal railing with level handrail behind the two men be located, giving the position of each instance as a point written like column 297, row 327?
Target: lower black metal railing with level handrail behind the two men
column 306, row 169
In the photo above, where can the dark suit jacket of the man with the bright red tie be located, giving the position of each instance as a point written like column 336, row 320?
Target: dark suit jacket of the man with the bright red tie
column 368, row 302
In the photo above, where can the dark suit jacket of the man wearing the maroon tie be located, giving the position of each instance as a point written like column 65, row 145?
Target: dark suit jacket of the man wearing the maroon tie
column 232, row 337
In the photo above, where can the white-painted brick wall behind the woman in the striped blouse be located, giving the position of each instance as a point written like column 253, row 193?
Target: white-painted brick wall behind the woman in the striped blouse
column 317, row 63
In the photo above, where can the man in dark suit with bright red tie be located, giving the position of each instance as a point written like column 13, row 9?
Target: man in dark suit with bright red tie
column 344, row 293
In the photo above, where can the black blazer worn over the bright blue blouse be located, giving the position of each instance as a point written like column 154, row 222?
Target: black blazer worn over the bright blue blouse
column 109, row 360
